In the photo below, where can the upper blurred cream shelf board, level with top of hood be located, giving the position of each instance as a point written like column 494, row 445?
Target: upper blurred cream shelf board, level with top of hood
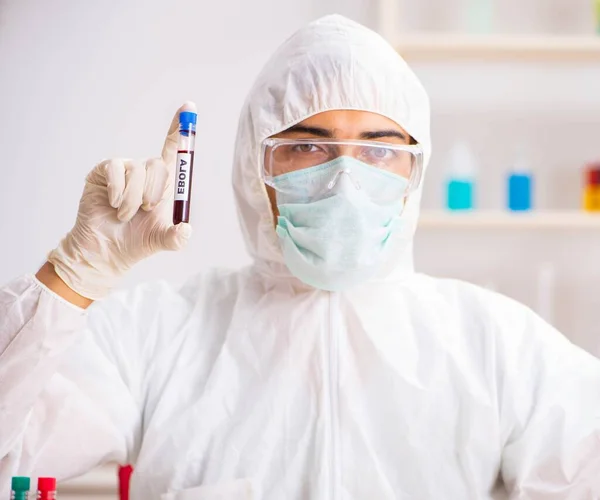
column 438, row 46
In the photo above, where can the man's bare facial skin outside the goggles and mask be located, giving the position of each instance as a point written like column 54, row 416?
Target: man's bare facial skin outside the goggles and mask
column 343, row 124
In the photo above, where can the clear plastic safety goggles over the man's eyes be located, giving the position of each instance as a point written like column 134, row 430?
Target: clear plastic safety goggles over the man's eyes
column 281, row 157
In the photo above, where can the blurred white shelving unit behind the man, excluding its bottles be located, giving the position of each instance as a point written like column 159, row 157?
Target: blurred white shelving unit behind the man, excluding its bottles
column 519, row 82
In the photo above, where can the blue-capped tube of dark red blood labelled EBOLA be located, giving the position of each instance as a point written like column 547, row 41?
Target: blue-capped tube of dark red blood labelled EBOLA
column 184, row 167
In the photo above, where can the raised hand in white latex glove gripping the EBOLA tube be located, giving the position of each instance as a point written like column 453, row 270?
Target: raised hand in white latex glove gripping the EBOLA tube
column 111, row 233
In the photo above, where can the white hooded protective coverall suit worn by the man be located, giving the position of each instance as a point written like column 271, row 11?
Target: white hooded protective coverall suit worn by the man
column 250, row 385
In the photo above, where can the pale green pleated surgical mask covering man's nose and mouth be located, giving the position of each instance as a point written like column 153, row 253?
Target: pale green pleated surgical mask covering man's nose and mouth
column 339, row 240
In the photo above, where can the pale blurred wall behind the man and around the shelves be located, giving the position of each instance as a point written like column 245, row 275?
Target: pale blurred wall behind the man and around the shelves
column 83, row 81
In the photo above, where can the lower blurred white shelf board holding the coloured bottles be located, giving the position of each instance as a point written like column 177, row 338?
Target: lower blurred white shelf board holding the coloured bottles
column 507, row 220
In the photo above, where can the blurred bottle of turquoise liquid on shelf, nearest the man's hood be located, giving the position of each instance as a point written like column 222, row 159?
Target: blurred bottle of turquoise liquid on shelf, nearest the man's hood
column 461, row 179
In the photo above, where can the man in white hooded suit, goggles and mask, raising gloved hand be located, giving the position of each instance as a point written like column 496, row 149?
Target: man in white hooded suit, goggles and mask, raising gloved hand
column 328, row 369
